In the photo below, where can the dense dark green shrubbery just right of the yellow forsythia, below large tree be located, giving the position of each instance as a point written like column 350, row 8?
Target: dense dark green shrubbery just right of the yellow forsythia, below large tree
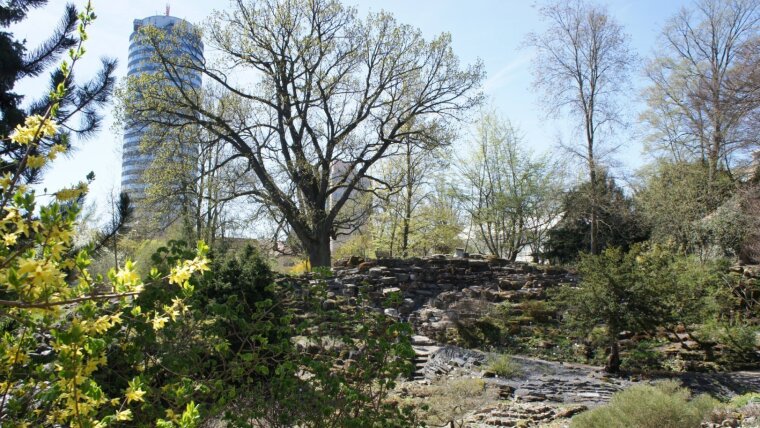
column 236, row 352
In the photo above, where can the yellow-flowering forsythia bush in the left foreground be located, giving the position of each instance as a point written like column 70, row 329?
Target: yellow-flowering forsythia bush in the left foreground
column 57, row 321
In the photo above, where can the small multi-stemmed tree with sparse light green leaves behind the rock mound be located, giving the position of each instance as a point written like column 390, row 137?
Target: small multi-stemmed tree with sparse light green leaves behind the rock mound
column 510, row 194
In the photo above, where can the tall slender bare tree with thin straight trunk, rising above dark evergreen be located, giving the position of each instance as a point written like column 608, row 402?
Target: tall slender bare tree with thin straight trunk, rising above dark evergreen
column 582, row 66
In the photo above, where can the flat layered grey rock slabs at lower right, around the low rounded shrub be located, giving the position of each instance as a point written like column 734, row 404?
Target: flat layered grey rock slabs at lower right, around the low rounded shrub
column 543, row 392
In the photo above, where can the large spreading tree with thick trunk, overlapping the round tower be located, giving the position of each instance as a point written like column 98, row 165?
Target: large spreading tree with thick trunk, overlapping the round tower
column 314, row 86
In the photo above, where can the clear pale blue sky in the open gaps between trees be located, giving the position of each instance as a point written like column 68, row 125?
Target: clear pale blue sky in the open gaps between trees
column 492, row 31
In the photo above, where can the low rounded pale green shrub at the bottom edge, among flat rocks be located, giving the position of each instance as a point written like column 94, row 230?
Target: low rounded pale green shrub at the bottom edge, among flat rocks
column 664, row 404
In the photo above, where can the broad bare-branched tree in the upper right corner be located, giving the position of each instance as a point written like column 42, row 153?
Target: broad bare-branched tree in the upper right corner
column 704, row 93
